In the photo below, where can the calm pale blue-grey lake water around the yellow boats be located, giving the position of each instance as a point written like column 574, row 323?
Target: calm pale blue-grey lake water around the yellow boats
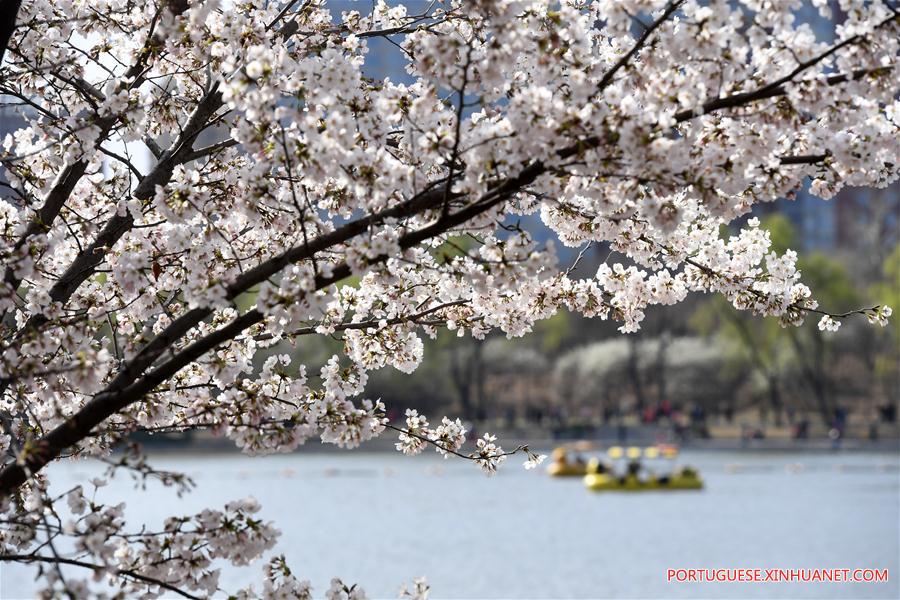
column 382, row 519
